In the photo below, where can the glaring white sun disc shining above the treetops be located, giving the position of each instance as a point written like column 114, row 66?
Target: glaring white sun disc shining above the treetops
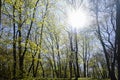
column 77, row 18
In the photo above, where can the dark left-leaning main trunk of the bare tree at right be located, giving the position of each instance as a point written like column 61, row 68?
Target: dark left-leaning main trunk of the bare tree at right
column 110, row 65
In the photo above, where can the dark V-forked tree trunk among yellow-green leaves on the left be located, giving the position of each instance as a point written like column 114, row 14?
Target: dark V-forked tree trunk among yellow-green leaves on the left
column 21, row 55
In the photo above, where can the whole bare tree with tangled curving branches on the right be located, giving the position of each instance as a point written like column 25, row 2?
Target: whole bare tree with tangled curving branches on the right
column 105, row 37
